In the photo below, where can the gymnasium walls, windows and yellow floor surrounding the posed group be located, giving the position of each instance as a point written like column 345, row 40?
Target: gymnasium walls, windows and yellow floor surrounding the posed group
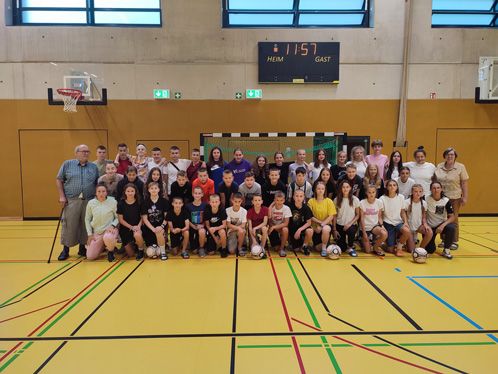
column 194, row 74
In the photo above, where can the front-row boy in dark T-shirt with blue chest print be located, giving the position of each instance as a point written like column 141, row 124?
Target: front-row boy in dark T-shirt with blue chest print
column 197, row 230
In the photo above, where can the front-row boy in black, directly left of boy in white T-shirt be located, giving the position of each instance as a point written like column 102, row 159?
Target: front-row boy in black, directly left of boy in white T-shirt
column 215, row 218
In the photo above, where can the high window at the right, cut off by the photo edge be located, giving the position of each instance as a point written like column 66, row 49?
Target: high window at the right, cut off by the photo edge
column 465, row 13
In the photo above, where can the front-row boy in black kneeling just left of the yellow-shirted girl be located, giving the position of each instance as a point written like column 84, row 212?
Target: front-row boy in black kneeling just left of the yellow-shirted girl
column 300, row 231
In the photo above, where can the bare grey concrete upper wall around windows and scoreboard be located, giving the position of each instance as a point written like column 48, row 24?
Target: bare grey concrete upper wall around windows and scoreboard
column 191, row 53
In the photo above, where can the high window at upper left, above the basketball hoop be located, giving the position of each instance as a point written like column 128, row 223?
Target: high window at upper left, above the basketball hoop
column 88, row 12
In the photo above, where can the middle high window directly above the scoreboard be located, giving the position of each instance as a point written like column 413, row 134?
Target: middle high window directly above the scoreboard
column 296, row 13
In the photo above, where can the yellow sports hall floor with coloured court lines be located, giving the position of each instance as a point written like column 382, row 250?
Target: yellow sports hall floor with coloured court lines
column 364, row 315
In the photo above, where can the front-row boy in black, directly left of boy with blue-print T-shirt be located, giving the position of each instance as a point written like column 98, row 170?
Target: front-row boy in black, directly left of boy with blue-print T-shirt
column 178, row 223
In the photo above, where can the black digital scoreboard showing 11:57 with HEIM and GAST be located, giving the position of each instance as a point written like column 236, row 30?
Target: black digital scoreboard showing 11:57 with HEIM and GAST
column 298, row 62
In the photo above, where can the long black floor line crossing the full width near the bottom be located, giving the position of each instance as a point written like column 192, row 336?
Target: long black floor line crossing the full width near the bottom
column 243, row 335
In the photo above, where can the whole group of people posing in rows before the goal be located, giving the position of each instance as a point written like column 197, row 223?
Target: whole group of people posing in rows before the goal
column 155, row 205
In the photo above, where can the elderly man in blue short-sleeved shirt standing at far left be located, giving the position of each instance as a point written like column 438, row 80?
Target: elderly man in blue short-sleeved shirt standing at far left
column 76, row 183
